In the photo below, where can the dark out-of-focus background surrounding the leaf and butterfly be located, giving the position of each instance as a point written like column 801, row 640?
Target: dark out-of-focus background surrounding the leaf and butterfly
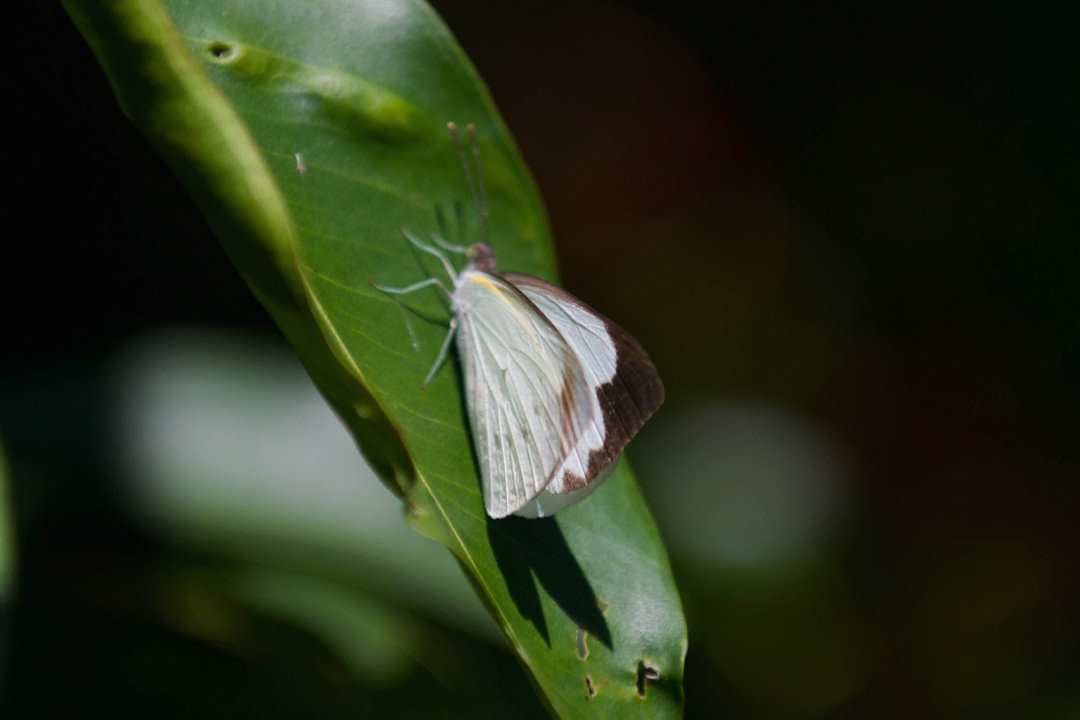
column 847, row 236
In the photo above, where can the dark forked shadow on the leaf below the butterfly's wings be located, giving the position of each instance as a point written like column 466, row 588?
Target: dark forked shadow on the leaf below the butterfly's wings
column 524, row 549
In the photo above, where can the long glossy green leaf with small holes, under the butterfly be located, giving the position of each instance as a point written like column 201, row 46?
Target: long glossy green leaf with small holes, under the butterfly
column 310, row 134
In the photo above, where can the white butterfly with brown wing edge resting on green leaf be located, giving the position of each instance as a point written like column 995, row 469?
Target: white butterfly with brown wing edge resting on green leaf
column 555, row 390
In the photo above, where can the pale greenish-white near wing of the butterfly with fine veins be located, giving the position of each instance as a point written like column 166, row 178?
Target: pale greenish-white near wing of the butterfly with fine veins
column 529, row 401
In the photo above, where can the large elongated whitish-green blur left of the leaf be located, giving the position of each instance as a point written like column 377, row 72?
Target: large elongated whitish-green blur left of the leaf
column 226, row 445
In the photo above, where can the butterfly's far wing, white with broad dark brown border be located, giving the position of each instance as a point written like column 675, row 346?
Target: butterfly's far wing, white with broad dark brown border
column 625, row 387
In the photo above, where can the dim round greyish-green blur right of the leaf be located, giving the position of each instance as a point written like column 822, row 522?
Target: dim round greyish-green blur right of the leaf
column 748, row 484
